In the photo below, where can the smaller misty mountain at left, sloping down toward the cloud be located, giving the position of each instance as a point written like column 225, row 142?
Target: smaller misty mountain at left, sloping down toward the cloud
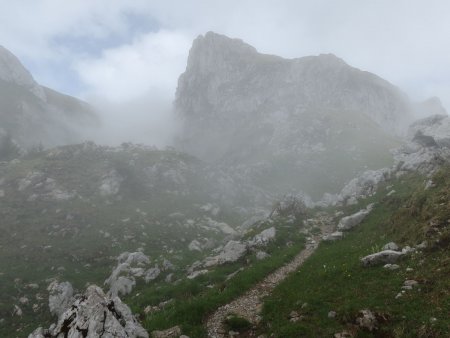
column 32, row 114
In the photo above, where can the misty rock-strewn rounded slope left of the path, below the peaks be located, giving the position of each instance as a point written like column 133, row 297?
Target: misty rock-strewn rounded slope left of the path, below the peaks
column 68, row 213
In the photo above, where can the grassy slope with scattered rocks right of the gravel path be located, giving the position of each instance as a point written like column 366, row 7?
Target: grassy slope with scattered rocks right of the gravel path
column 333, row 279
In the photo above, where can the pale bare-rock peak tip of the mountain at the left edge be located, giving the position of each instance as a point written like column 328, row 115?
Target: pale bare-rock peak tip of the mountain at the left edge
column 12, row 71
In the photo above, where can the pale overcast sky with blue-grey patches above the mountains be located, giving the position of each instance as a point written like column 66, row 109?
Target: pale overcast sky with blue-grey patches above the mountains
column 122, row 50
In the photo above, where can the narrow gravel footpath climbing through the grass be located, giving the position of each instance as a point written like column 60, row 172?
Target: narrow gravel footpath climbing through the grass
column 249, row 305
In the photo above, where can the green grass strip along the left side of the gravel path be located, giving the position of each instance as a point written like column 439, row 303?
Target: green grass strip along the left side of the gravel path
column 194, row 301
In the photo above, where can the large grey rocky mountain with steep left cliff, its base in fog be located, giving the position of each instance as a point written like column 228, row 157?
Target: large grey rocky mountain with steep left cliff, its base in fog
column 315, row 117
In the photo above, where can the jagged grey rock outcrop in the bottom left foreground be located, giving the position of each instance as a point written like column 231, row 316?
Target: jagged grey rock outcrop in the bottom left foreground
column 94, row 315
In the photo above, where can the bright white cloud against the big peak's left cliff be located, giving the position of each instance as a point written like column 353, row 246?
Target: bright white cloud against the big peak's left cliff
column 149, row 66
